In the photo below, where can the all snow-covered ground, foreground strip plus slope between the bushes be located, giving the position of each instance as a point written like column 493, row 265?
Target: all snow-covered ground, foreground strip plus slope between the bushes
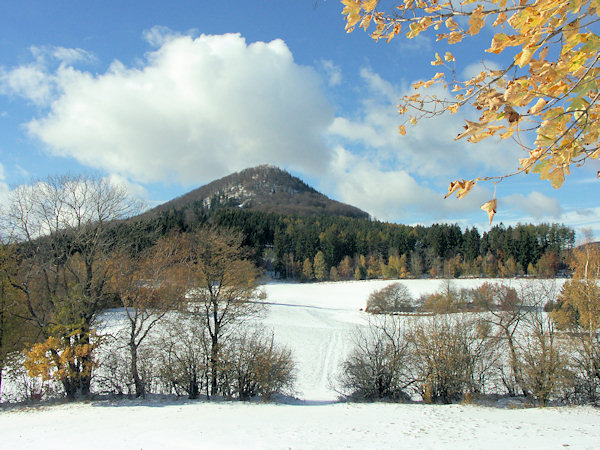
column 315, row 321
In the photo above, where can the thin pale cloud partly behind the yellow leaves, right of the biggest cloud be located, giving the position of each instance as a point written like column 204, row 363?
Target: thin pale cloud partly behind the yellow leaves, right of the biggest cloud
column 429, row 148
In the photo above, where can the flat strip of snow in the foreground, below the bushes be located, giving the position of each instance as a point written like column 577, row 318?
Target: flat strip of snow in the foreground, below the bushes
column 185, row 425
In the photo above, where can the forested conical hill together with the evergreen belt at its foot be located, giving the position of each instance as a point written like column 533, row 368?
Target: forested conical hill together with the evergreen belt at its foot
column 298, row 233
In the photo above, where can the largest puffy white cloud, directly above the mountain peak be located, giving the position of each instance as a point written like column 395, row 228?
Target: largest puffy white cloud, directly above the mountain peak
column 196, row 109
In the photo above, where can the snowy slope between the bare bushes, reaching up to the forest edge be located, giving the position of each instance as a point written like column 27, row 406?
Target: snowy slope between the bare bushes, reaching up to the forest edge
column 316, row 321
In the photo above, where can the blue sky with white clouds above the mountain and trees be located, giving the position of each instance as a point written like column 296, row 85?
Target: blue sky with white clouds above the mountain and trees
column 166, row 97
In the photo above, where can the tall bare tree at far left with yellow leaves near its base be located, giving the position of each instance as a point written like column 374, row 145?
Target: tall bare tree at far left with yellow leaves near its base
column 62, row 225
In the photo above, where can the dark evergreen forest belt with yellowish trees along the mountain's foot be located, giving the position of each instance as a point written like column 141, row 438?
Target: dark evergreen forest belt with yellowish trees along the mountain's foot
column 340, row 248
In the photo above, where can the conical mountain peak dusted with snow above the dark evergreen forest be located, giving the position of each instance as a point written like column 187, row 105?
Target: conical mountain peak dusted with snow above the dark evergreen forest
column 265, row 188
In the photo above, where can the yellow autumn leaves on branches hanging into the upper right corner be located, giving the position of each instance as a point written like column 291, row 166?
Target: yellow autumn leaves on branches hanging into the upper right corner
column 556, row 64
